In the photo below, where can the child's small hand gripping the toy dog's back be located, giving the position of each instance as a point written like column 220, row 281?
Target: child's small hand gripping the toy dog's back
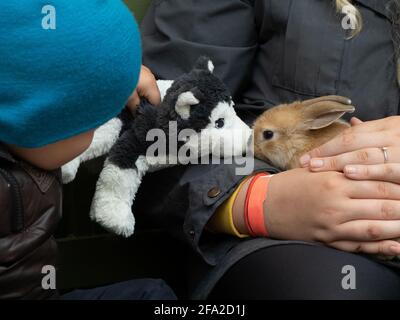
column 146, row 88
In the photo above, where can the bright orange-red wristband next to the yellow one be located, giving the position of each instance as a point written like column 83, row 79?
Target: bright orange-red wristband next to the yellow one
column 254, row 205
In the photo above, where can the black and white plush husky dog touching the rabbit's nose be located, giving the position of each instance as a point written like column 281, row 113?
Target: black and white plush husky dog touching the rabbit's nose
column 196, row 114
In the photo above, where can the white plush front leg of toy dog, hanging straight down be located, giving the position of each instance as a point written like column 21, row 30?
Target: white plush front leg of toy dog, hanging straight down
column 115, row 192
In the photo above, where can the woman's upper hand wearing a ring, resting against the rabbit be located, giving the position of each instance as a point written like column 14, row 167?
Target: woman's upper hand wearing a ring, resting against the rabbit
column 360, row 144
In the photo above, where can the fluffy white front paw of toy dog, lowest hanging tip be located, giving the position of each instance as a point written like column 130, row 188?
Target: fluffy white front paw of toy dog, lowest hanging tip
column 113, row 214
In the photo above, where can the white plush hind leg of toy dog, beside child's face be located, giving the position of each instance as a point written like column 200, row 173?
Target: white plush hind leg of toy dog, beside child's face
column 103, row 139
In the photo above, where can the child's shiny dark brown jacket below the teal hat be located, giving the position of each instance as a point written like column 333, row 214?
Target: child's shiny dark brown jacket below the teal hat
column 30, row 209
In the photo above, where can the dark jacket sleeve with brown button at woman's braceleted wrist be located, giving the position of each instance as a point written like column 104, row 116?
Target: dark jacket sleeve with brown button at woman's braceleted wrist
column 182, row 199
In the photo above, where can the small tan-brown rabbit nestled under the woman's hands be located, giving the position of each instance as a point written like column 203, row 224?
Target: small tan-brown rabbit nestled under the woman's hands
column 284, row 133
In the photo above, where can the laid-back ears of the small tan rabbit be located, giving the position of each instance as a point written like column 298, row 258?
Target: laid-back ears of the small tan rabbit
column 322, row 112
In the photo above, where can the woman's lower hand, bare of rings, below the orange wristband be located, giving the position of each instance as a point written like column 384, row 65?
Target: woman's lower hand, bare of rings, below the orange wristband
column 326, row 207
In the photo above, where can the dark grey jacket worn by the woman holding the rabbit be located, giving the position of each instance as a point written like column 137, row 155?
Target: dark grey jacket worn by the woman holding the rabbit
column 268, row 52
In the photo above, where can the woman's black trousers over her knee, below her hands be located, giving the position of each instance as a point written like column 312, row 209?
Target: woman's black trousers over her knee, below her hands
column 307, row 272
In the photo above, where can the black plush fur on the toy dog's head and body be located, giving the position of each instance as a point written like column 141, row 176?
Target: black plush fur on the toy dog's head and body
column 206, row 87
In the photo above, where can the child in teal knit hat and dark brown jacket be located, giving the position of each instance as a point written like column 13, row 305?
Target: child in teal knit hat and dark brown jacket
column 57, row 85
